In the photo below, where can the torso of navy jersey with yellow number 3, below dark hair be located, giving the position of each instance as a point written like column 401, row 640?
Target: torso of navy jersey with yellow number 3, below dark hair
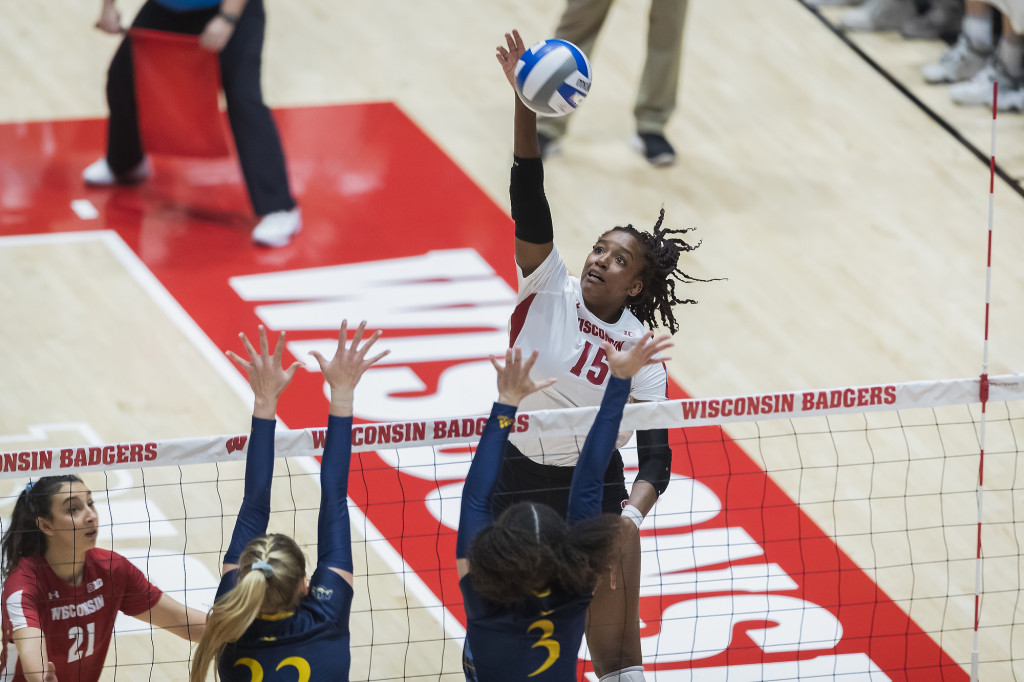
column 537, row 640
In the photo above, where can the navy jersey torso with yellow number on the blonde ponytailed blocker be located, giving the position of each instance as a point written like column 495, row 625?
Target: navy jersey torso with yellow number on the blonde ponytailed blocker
column 310, row 645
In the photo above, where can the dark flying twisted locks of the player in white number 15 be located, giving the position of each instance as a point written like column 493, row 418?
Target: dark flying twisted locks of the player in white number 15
column 660, row 274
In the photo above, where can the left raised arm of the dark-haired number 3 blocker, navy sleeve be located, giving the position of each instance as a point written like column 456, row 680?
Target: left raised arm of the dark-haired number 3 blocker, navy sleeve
column 515, row 383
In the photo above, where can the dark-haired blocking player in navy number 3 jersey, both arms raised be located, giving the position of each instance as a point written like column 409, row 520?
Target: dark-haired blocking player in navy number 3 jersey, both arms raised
column 528, row 578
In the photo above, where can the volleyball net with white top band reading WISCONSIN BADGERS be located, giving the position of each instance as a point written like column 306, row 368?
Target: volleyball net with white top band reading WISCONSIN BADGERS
column 826, row 534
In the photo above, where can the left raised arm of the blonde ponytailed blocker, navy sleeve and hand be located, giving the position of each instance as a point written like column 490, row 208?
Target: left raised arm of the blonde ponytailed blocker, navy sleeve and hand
column 268, row 379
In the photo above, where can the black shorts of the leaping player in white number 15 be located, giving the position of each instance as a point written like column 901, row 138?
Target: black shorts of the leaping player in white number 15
column 523, row 480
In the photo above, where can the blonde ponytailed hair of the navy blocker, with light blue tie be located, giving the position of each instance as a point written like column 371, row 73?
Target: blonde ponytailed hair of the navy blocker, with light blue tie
column 254, row 593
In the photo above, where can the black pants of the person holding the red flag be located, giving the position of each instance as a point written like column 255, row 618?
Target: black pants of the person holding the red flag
column 257, row 137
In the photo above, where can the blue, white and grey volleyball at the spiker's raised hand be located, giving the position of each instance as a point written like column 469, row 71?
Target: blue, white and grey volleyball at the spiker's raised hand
column 553, row 77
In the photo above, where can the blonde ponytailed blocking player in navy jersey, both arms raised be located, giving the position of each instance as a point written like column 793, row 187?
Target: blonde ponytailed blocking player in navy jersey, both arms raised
column 269, row 623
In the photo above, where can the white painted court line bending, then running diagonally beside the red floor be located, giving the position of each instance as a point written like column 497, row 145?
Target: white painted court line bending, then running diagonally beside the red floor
column 227, row 371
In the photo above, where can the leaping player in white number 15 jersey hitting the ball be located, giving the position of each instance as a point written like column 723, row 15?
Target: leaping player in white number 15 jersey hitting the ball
column 628, row 283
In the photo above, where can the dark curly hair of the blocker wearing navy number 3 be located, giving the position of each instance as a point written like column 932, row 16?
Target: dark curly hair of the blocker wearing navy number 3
column 531, row 548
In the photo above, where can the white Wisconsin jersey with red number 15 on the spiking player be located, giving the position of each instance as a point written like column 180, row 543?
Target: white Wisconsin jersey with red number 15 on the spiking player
column 551, row 318
